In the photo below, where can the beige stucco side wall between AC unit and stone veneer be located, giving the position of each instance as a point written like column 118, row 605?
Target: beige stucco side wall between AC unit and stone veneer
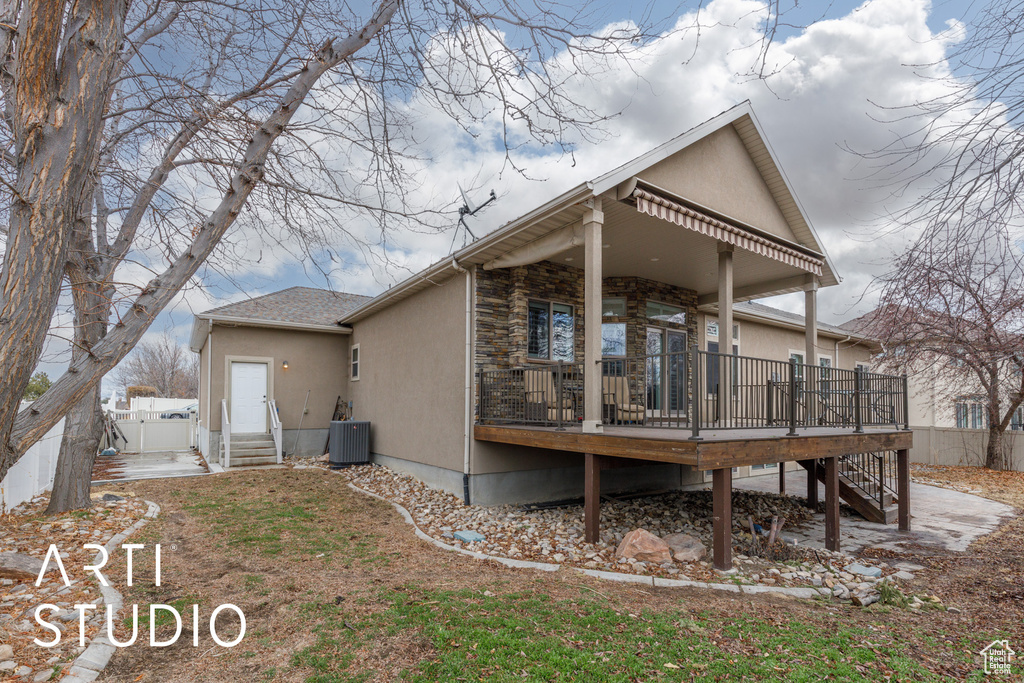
column 412, row 377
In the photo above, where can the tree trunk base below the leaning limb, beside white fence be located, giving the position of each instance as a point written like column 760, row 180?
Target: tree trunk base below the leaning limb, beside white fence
column 83, row 430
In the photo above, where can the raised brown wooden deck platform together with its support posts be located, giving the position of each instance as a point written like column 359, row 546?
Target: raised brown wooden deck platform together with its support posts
column 718, row 451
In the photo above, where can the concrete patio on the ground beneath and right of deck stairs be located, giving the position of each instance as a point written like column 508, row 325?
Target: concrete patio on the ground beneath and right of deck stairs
column 940, row 518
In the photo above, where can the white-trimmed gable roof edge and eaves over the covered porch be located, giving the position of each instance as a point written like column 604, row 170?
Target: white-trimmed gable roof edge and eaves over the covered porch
column 528, row 228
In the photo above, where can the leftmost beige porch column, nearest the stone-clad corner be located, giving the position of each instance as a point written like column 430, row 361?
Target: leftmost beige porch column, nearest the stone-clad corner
column 593, row 220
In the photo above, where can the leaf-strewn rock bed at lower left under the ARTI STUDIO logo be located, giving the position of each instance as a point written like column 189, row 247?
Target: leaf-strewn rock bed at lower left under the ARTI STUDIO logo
column 28, row 531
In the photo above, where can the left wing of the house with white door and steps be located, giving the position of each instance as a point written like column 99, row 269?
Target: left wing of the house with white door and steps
column 283, row 351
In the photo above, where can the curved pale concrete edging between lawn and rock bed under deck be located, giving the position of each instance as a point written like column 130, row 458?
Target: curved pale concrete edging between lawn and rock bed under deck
column 655, row 582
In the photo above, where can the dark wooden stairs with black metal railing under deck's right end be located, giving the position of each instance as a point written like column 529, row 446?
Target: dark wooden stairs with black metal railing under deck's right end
column 867, row 484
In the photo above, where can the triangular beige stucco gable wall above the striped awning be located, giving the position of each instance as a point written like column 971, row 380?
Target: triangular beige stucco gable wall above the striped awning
column 710, row 172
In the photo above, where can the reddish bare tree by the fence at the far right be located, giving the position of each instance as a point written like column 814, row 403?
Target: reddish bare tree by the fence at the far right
column 954, row 307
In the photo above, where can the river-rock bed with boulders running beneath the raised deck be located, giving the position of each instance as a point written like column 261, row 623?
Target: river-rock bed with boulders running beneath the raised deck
column 556, row 535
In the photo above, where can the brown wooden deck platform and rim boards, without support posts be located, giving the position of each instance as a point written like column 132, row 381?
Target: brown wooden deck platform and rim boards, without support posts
column 717, row 449
